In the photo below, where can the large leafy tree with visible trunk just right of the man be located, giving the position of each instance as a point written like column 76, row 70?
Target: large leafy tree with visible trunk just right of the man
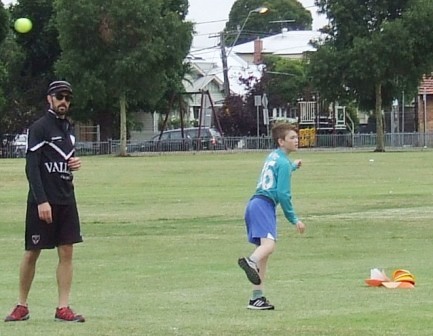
column 125, row 52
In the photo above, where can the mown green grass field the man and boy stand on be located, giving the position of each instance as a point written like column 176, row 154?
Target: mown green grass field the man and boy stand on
column 163, row 234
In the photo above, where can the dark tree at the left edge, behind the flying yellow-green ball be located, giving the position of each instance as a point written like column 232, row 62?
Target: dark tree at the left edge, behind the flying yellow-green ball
column 28, row 59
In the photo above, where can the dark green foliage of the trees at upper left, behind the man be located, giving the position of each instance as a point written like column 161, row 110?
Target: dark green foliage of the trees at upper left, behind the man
column 108, row 49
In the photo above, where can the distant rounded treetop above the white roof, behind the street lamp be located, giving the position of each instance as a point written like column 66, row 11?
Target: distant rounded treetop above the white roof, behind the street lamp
column 281, row 13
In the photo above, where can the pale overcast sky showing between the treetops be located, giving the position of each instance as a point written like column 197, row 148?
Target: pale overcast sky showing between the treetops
column 211, row 16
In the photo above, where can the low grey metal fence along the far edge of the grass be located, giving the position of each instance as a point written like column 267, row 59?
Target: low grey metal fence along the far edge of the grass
column 349, row 141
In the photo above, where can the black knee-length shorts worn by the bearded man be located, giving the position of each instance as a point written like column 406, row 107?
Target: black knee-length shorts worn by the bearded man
column 64, row 230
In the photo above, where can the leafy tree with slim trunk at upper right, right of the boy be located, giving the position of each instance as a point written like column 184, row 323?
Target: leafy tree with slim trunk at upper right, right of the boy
column 373, row 51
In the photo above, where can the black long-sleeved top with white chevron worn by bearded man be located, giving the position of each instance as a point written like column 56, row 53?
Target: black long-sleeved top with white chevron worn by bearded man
column 50, row 145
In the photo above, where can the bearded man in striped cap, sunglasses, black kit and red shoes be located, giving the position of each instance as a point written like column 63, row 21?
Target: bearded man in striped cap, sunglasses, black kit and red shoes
column 52, row 217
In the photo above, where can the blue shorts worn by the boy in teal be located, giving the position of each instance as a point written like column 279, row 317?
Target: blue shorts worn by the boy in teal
column 260, row 219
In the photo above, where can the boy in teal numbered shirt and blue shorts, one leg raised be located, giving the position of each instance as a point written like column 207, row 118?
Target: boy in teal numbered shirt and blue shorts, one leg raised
column 273, row 188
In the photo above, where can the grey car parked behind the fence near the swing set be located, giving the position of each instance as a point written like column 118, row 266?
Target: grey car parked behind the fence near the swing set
column 195, row 138
